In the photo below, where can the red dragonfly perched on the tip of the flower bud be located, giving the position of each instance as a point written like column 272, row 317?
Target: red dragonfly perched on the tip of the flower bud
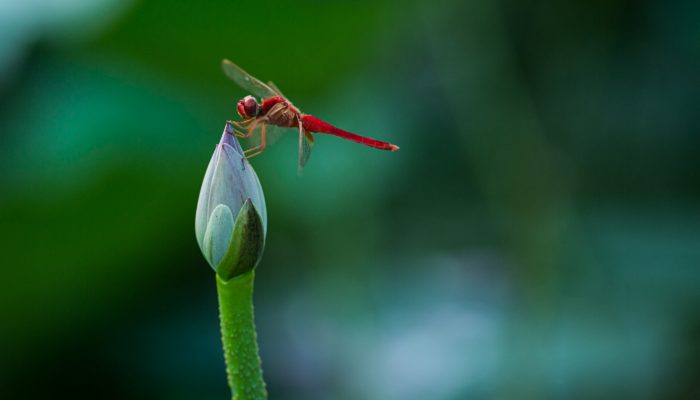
column 274, row 110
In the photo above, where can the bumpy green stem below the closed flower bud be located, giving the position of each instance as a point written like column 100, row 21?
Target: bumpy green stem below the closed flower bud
column 238, row 336
